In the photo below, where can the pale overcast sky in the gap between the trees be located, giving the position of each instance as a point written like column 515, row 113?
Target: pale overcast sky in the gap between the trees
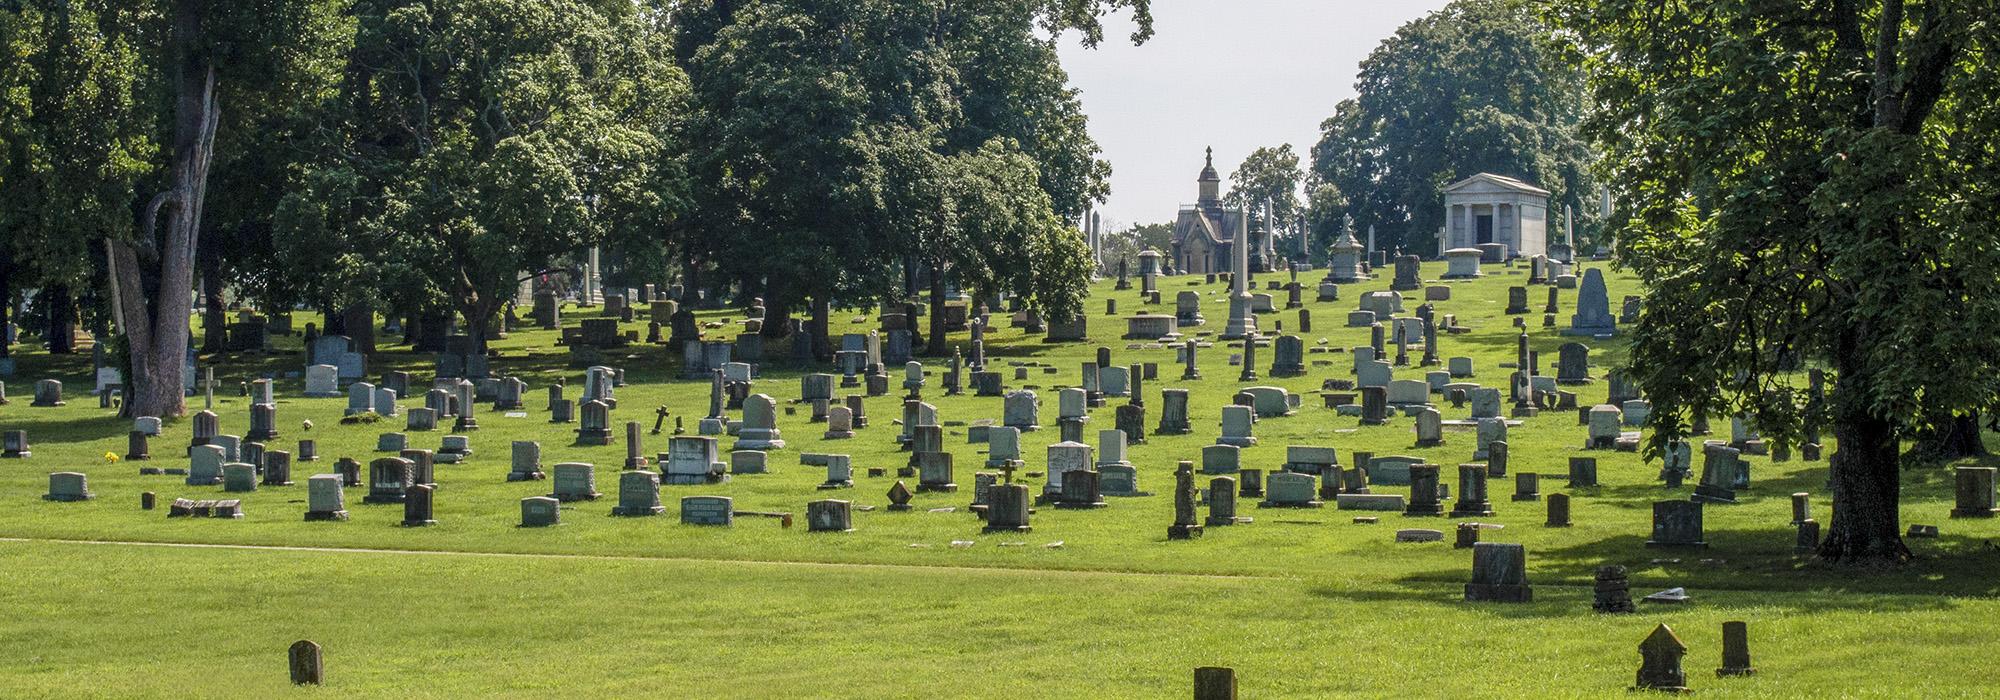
column 1233, row 75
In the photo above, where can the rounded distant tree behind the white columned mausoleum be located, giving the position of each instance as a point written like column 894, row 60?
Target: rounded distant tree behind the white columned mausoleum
column 1469, row 89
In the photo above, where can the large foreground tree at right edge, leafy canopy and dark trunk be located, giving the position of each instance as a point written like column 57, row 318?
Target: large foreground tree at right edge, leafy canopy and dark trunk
column 1807, row 181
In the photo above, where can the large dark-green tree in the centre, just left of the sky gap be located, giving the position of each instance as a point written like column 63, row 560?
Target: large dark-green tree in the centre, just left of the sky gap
column 837, row 133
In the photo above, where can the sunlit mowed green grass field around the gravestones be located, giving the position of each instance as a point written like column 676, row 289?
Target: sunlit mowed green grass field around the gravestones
column 1301, row 603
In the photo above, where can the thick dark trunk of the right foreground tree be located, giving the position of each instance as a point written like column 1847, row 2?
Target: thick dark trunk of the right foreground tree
column 1867, row 527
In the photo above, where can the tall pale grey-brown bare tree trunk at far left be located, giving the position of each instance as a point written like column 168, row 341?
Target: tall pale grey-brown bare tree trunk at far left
column 157, row 305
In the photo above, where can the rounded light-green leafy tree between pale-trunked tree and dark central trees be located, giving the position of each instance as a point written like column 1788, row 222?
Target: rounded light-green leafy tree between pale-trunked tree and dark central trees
column 481, row 139
